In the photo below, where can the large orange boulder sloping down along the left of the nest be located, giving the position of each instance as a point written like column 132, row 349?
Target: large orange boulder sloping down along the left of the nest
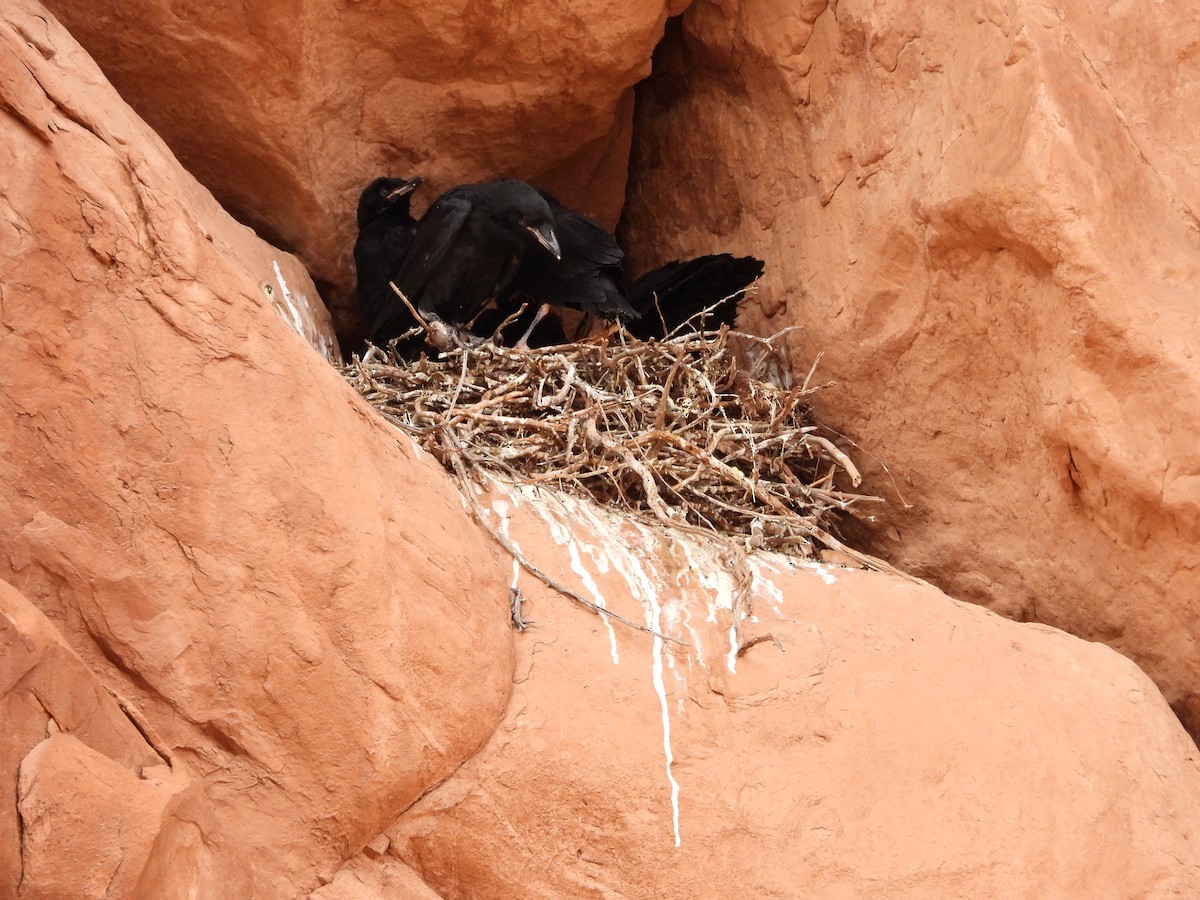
column 223, row 531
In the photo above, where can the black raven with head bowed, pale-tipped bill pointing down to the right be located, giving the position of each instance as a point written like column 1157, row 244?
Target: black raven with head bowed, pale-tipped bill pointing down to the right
column 467, row 248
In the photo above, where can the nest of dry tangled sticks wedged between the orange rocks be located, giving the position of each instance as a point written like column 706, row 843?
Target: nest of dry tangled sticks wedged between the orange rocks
column 681, row 433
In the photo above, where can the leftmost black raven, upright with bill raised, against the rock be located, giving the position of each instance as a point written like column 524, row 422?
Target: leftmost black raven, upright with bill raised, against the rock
column 386, row 231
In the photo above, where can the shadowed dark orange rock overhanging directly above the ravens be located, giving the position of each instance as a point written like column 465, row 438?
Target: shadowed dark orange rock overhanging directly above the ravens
column 286, row 110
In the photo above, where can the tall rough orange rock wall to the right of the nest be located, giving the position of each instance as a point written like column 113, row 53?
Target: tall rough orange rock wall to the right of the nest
column 985, row 215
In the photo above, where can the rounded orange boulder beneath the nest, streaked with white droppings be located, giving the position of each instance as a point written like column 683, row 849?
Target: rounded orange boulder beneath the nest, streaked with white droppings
column 895, row 743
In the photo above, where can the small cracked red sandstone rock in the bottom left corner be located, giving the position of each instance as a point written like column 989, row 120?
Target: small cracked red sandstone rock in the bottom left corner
column 87, row 806
